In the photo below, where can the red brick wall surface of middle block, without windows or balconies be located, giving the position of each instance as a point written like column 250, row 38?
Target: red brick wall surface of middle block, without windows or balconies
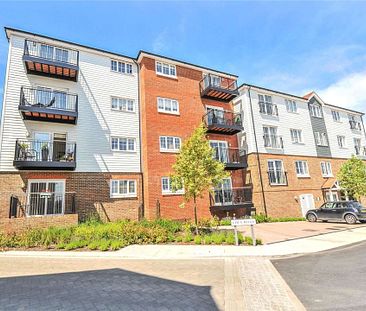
column 185, row 89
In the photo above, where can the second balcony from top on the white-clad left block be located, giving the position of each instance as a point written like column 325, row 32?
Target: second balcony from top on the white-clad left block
column 49, row 106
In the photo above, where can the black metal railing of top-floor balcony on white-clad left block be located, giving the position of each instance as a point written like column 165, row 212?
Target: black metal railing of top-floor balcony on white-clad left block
column 51, row 52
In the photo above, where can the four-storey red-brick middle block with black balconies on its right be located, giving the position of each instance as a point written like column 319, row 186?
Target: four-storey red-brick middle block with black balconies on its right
column 175, row 98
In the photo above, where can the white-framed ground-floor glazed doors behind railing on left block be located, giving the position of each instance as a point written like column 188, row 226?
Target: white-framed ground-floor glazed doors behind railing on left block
column 46, row 198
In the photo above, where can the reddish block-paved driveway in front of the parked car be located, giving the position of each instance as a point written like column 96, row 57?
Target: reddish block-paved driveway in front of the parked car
column 282, row 231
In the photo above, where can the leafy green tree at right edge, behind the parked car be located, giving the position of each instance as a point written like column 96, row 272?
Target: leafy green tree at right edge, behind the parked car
column 352, row 177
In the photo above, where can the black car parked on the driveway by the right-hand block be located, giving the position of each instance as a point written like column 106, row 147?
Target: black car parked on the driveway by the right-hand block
column 349, row 211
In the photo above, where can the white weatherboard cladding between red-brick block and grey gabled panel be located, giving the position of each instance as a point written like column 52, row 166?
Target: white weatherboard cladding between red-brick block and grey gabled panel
column 285, row 121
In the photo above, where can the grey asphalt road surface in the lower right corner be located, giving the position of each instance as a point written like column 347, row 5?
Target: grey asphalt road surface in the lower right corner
column 339, row 276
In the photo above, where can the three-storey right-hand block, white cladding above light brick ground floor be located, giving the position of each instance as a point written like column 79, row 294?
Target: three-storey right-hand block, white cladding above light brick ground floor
column 295, row 147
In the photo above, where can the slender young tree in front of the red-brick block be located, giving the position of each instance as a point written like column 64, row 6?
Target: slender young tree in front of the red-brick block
column 196, row 170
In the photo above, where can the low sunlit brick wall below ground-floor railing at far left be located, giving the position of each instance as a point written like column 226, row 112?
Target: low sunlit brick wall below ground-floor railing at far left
column 26, row 223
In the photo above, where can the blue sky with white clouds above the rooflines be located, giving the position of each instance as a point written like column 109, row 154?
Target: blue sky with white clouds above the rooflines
column 289, row 46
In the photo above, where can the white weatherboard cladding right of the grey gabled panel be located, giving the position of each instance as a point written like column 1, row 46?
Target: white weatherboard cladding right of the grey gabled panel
column 342, row 128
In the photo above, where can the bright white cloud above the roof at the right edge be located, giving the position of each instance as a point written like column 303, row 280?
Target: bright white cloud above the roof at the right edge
column 348, row 92
